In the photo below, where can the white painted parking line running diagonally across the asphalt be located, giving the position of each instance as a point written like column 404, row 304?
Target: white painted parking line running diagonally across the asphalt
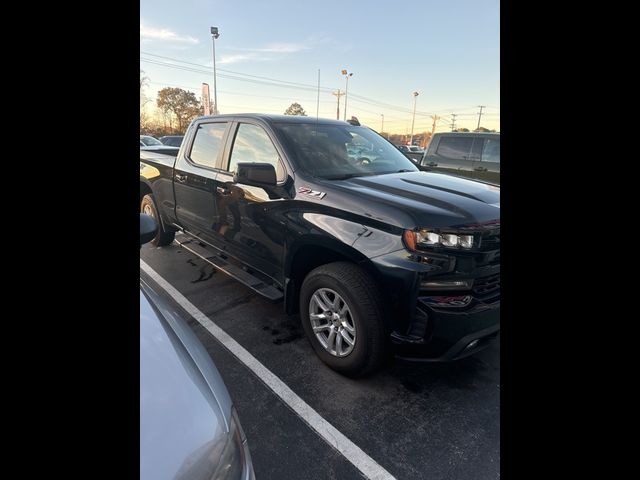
column 349, row 450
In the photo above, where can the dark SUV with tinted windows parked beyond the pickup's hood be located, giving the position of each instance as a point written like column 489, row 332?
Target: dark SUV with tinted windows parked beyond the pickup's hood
column 470, row 155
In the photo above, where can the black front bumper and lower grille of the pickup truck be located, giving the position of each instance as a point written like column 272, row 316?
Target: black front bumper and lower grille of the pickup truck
column 442, row 325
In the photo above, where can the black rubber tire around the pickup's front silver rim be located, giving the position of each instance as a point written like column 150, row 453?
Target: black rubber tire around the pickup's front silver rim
column 361, row 294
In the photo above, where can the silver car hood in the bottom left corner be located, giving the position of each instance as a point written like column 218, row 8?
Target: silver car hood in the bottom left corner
column 185, row 408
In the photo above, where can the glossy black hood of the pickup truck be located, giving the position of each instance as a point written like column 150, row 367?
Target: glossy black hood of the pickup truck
column 418, row 199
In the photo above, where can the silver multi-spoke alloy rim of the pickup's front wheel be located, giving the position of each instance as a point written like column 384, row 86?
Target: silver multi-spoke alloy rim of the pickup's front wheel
column 332, row 322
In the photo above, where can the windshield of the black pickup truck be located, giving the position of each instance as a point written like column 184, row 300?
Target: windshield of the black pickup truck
column 341, row 151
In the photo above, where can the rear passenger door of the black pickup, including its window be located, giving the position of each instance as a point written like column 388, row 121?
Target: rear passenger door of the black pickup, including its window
column 194, row 178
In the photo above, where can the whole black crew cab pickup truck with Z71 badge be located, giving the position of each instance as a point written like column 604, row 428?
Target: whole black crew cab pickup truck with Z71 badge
column 376, row 256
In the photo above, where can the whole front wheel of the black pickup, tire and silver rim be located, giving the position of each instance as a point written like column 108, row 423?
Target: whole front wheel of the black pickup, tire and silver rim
column 342, row 315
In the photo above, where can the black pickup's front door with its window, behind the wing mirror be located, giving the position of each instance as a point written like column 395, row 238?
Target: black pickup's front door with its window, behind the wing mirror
column 250, row 223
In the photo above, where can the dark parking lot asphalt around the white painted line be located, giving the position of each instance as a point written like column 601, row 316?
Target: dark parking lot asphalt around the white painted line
column 418, row 421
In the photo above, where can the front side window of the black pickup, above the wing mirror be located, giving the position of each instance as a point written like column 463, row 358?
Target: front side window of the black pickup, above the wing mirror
column 252, row 144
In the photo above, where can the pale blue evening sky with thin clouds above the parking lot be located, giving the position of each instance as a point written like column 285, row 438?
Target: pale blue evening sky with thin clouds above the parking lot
column 269, row 53
